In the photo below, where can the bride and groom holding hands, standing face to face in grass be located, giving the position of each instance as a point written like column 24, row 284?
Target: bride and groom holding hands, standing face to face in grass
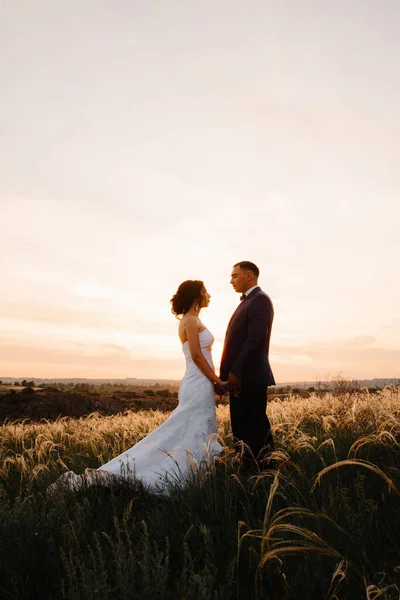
column 188, row 438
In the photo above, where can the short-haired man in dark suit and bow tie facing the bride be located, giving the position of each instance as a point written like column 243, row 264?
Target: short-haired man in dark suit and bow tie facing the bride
column 245, row 363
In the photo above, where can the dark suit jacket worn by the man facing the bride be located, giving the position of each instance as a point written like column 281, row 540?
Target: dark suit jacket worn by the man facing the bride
column 246, row 346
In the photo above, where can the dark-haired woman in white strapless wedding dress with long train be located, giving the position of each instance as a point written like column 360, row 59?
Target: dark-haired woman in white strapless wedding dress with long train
column 187, row 440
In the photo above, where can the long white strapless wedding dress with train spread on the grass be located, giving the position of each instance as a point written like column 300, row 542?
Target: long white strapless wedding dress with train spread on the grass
column 170, row 454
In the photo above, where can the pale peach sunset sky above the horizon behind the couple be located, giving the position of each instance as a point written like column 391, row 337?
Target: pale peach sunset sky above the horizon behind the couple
column 148, row 142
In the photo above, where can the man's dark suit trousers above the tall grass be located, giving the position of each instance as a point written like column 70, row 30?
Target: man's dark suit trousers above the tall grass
column 249, row 420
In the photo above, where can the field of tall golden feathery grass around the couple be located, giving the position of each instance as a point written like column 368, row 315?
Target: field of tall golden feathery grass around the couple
column 324, row 525
